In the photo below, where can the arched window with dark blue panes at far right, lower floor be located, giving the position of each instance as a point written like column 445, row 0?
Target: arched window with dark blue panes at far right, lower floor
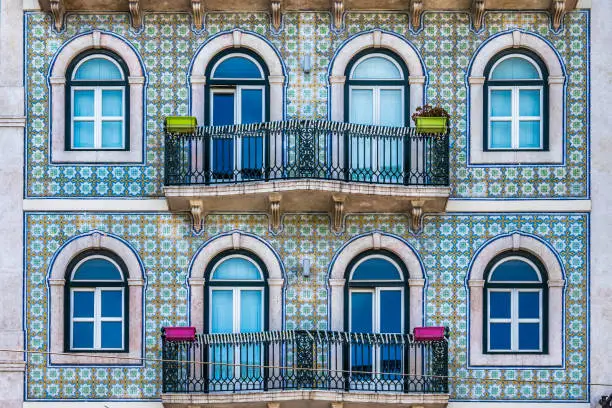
column 515, row 304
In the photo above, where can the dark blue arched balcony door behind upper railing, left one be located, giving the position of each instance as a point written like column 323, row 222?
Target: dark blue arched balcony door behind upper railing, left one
column 237, row 92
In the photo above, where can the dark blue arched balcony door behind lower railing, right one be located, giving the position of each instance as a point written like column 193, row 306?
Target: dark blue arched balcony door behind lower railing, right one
column 376, row 298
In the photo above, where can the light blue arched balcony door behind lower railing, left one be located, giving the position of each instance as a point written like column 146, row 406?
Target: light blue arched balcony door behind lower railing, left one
column 236, row 305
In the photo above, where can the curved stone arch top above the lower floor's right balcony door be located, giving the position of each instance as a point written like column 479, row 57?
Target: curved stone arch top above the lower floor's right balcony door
column 377, row 241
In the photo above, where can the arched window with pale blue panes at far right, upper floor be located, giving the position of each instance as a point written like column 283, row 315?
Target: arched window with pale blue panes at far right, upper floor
column 516, row 92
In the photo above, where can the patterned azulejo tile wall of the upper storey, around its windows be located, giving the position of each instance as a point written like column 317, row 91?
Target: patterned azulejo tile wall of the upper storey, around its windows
column 167, row 44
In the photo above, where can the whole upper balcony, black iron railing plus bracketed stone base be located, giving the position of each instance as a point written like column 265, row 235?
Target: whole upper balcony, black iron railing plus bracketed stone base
column 306, row 166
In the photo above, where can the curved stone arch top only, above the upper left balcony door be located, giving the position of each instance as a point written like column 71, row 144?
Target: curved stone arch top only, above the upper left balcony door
column 236, row 39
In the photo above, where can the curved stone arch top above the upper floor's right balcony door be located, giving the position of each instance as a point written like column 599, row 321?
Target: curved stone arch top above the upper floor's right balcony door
column 377, row 39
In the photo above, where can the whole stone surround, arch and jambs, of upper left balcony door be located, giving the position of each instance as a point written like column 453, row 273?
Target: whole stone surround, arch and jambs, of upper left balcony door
column 236, row 39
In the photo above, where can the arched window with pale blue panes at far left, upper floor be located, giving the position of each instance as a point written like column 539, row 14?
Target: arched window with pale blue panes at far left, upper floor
column 97, row 99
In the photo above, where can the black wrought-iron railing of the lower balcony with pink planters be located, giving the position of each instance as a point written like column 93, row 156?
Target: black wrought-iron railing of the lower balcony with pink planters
column 290, row 360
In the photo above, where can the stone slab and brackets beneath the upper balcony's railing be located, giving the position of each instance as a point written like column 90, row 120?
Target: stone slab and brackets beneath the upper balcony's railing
column 337, row 198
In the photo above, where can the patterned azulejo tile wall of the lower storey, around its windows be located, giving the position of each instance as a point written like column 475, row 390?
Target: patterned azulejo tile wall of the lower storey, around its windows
column 166, row 244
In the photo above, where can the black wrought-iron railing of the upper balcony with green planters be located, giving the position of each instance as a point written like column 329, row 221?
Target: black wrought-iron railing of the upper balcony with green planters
column 306, row 149
